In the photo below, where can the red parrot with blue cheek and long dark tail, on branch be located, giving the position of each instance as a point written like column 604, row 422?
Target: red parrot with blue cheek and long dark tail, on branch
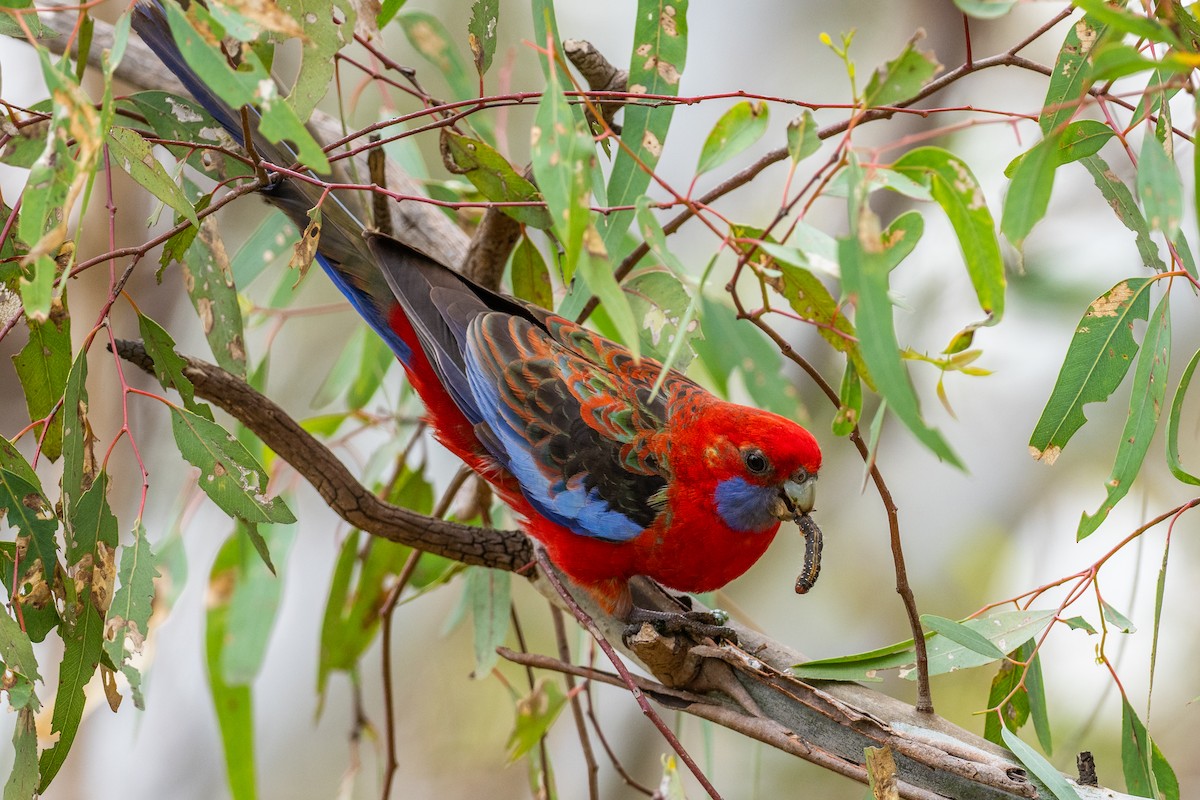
column 614, row 479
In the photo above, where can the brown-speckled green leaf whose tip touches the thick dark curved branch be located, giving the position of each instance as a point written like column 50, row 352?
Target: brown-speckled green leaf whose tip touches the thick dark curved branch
column 209, row 281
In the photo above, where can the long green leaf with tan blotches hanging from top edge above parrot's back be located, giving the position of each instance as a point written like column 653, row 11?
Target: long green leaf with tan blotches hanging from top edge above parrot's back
column 657, row 63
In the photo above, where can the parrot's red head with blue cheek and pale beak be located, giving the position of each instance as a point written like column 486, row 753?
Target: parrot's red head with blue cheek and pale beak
column 763, row 467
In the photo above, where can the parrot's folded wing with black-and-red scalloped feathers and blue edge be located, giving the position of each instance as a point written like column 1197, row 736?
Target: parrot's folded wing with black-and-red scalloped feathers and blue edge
column 572, row 417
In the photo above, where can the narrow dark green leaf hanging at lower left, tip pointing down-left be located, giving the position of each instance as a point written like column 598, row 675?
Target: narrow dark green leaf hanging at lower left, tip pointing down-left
column 81, row 655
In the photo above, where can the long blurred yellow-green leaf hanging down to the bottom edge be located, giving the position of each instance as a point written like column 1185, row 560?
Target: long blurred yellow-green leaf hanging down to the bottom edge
column 233, row 703
